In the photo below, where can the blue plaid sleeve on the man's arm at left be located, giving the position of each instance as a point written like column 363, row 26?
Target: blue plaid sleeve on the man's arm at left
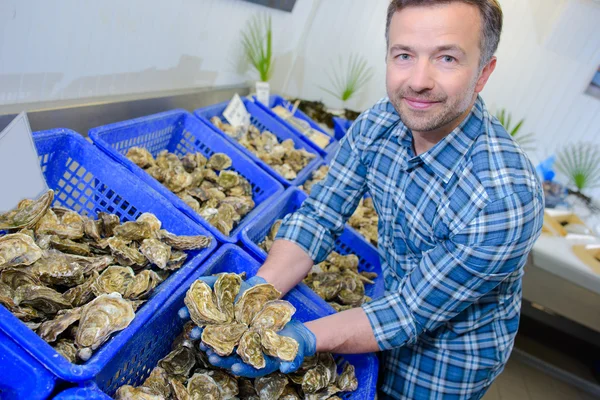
column 321, row 219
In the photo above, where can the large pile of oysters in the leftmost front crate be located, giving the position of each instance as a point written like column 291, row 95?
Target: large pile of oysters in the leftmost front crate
column 76, row 281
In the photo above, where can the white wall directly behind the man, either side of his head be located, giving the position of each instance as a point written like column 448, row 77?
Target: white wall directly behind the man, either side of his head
column 548, row 54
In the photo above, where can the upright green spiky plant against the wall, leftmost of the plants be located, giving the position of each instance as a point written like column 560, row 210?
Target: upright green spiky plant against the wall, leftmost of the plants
column 257, row 40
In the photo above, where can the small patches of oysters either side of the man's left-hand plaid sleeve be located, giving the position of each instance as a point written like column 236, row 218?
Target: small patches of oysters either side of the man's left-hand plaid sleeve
column 364, row 219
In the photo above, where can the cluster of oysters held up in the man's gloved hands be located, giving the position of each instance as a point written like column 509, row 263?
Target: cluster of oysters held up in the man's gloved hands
column 251, row 323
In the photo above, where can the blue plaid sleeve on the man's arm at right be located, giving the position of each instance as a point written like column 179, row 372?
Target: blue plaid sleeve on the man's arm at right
column 459, row 270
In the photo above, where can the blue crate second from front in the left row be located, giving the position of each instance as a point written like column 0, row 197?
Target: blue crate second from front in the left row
column 179, row 132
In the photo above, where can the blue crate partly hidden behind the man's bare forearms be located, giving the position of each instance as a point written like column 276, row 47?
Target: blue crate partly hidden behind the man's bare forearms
column 349, row 241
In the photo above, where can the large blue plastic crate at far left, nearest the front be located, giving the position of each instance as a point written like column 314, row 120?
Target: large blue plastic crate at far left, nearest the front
column 88, row 182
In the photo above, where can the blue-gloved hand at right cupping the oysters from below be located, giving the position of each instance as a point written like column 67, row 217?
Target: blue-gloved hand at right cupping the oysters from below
column 307, row 346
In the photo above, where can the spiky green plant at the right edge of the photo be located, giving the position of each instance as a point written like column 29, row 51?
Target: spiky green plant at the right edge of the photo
column 580, row 164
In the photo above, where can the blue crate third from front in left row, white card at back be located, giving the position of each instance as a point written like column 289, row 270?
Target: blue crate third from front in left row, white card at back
column 263, row 121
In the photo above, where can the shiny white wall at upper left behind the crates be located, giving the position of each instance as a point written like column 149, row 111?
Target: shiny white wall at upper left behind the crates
column 71, row 49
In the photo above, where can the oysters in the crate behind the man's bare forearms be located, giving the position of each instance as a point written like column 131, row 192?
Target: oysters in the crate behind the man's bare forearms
column 336, row 280
